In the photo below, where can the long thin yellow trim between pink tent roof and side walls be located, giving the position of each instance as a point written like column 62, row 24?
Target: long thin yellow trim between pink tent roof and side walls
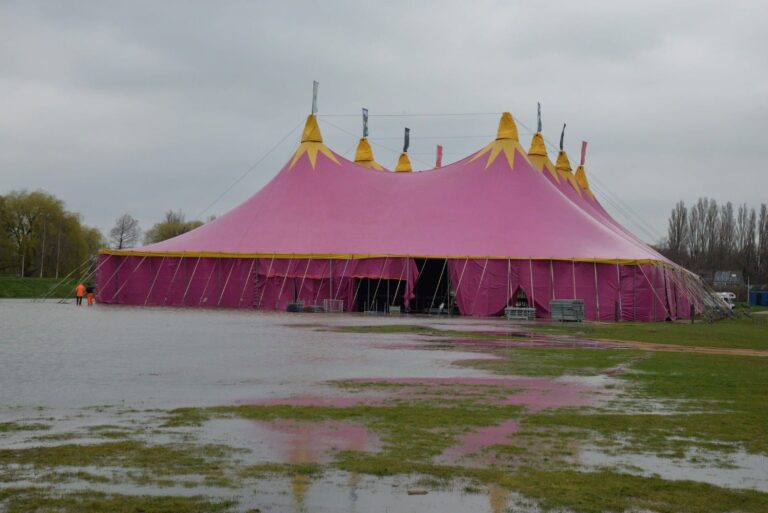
column 360, row 256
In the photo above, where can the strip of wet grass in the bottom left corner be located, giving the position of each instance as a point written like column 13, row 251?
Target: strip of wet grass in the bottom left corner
column 36, row 500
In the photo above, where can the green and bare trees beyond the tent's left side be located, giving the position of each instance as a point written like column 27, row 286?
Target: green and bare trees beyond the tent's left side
column 40, row 237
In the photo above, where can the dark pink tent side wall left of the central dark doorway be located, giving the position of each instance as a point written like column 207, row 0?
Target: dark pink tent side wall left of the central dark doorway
column 264, row 283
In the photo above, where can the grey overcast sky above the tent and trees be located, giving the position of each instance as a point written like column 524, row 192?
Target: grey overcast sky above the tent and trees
column 142, row 107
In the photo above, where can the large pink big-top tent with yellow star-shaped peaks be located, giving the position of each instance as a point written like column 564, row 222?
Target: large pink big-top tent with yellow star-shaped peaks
column 500, row 227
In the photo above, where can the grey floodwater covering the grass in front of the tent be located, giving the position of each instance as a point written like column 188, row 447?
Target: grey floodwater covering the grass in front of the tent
column 78, row 368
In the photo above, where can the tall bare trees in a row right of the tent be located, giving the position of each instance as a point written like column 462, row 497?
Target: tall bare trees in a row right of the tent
column 708, row 237
